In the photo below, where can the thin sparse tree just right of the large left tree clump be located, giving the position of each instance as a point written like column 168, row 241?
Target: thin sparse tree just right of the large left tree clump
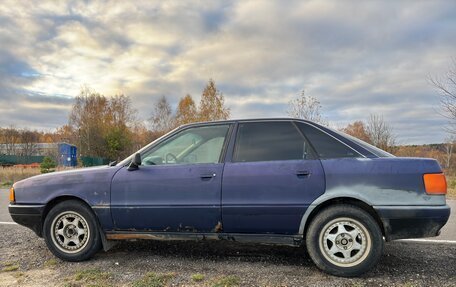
column 162, row 120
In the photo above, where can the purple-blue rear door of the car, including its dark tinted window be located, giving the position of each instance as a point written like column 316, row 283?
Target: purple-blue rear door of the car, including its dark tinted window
column 270, row 179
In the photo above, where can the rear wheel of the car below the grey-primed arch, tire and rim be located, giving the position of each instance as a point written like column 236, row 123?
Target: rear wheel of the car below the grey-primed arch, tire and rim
column 344, row 240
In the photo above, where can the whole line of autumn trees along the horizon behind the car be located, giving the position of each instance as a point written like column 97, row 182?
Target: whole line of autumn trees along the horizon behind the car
column 109, row 127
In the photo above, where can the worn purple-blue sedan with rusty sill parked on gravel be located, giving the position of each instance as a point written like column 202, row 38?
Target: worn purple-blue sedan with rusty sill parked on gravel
column 269, row 181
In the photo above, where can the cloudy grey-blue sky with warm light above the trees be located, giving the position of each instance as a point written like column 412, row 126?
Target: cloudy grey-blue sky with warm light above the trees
column 356, row 57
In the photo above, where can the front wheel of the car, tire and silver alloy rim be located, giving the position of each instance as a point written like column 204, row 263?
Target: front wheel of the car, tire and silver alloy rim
column 71, row 232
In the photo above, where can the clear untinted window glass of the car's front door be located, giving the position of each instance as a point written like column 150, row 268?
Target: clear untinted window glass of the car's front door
column 190, row 146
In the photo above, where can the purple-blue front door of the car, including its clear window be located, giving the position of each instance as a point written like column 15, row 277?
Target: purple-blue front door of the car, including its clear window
column 177, row 188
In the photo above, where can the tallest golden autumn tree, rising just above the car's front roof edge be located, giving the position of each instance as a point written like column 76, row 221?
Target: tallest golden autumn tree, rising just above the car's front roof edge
column 212, row 104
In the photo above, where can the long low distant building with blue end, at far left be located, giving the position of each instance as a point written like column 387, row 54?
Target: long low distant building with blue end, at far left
column 64, row 154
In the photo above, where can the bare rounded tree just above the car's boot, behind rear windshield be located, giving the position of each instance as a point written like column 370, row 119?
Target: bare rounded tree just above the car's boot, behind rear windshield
column 380, row 133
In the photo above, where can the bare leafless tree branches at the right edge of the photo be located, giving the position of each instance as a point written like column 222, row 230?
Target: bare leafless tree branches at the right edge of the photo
column 446, row 88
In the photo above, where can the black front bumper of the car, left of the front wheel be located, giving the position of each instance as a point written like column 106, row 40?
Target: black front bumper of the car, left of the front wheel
column 28, row 215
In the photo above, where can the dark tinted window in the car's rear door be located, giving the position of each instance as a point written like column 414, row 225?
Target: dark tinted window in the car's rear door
column 270, row 141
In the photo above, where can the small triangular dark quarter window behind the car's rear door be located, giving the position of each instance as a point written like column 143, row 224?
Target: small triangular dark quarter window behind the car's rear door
column 325, row 145
